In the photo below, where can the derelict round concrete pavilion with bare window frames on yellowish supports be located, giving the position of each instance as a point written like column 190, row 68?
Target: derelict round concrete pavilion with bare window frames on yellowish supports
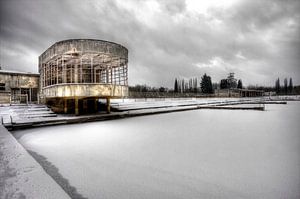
column 75, row 73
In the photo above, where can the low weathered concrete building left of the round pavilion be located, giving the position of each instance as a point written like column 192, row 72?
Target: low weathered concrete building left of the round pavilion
column 18, row 87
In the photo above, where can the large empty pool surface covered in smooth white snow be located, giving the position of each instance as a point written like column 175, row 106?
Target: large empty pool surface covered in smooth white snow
column 192, row 154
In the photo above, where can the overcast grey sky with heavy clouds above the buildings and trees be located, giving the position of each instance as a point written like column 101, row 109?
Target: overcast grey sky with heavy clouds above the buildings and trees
column 259, row 40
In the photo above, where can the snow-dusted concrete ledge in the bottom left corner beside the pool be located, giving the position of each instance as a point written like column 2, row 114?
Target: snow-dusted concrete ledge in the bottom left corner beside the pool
column 20, row 175
